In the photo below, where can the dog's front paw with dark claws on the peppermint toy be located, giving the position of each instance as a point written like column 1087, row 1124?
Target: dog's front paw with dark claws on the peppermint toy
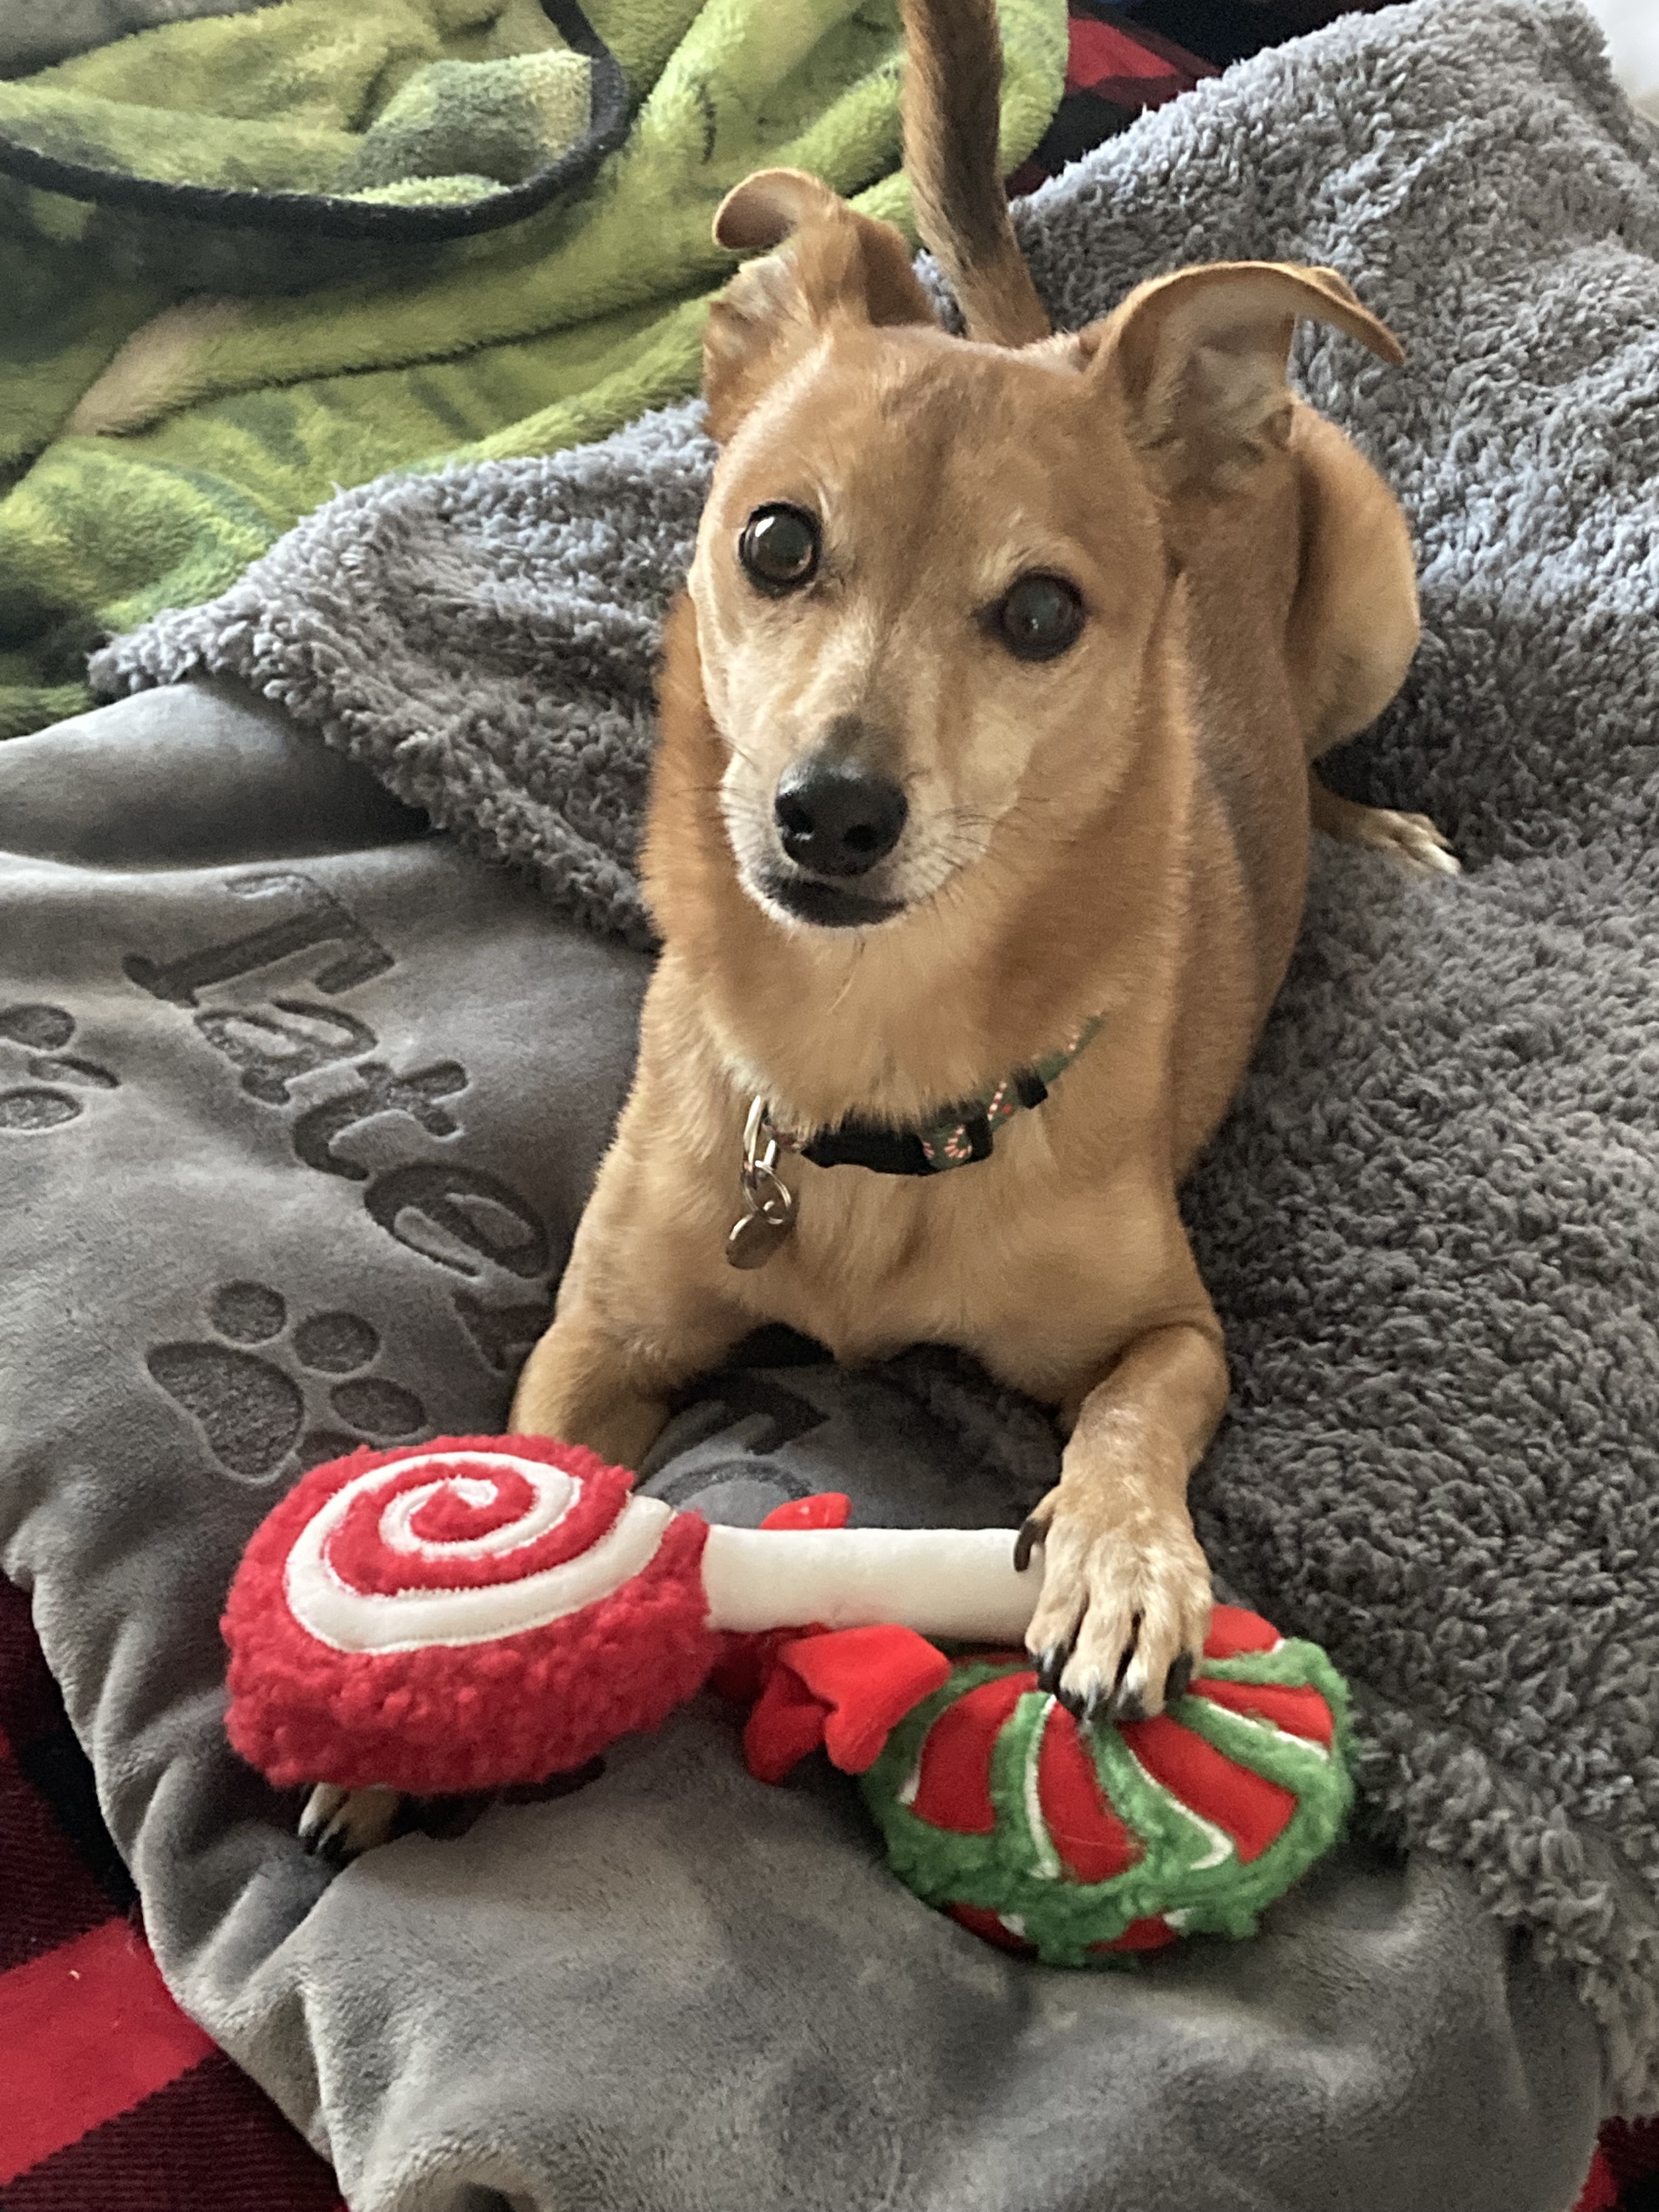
column 1125, row 1607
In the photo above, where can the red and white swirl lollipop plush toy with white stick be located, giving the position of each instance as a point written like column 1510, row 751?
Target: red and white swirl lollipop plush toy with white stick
column 490, row 1611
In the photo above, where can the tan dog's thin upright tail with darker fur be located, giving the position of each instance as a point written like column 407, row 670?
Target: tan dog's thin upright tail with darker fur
column 952, row 112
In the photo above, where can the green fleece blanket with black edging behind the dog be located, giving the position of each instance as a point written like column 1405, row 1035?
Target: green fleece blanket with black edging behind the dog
column 178, row 386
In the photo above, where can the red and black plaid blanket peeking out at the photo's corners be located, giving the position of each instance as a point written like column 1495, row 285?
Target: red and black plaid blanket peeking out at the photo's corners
column 109, row 2098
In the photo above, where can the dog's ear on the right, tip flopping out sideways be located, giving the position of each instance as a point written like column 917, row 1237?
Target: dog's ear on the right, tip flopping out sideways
column 1200, row 364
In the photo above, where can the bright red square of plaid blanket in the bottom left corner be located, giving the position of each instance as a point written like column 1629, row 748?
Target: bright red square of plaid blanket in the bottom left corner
column 85, row 2032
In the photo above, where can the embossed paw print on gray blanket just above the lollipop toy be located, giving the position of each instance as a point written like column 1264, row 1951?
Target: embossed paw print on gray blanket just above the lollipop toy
column 255, row 1408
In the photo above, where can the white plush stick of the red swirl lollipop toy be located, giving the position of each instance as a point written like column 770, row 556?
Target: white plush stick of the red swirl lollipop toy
column 943, row 1583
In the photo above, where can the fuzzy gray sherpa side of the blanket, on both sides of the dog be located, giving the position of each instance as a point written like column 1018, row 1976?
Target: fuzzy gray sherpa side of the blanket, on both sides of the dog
column 1432, row 1227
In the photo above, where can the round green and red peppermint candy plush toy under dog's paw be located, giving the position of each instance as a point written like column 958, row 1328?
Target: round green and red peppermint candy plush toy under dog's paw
column 1076, row 1844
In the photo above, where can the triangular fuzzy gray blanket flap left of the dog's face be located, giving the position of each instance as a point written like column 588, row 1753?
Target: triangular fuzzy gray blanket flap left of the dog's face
column 486, row 640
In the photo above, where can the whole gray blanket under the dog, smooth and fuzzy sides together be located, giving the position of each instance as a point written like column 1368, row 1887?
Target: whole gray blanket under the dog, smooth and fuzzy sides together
column 280, row 1070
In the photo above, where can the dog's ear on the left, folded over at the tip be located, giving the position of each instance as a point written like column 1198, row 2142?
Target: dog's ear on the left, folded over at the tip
column 831, row 264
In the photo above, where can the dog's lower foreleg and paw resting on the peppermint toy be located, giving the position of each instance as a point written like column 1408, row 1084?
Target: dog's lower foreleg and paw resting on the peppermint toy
column 1125, row 1585
